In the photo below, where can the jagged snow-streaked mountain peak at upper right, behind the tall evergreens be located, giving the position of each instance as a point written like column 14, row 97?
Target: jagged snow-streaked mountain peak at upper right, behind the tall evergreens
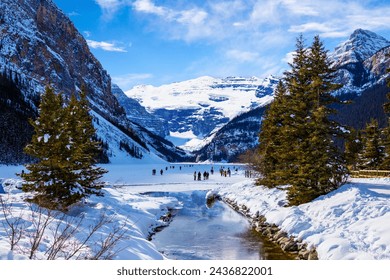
column 362, row 44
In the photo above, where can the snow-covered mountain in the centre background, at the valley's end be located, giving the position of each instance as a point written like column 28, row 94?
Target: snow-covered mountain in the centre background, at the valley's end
column 196, row 108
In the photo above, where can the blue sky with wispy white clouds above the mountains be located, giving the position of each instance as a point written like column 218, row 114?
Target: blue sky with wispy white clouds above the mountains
column 160, row 41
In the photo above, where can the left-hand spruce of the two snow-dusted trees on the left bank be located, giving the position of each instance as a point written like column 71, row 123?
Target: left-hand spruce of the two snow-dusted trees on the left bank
column 45, row 176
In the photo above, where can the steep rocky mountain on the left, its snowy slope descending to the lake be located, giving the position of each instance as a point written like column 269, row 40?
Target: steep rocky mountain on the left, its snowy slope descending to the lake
column 39, row 45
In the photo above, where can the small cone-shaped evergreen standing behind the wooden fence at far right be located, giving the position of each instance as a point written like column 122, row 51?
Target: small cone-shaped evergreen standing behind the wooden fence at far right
column 373, row 152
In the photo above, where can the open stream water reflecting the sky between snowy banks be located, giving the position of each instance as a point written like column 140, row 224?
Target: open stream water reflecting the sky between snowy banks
column 217, row 233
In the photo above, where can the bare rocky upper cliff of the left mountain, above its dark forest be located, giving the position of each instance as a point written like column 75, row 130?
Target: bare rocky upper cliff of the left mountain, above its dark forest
column 41, row 44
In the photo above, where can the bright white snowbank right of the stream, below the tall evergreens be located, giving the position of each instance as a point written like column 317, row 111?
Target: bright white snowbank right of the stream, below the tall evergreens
column 350, row 223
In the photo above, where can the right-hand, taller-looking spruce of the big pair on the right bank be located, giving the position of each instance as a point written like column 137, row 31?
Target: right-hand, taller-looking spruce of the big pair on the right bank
column 321, row 165
